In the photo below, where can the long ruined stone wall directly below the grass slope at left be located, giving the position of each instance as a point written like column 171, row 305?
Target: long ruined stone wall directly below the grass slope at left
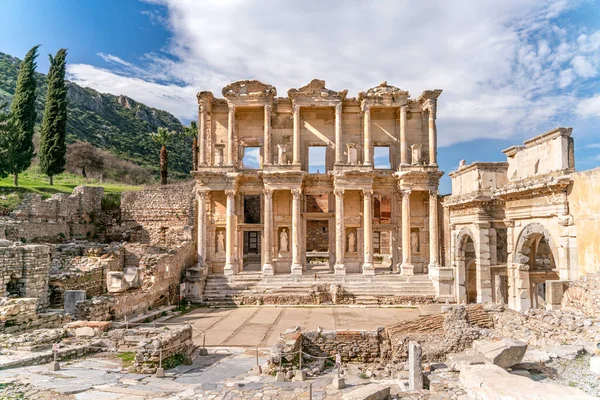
column 58, row 218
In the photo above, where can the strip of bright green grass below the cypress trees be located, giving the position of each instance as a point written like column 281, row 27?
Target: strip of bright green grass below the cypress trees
column 32, row 181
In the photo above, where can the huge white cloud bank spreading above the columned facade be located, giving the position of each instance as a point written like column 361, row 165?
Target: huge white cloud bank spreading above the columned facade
column 501, row 64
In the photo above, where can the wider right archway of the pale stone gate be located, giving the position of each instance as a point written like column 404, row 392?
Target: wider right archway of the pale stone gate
column 537, row 250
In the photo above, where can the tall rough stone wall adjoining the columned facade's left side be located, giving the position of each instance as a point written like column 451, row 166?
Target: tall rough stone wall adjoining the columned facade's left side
column 162, row 215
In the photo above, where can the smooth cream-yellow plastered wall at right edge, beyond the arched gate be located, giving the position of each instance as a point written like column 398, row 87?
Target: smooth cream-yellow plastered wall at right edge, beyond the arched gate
column 584, row 206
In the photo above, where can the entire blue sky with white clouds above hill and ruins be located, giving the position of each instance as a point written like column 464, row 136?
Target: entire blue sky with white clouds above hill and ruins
column 509, row 70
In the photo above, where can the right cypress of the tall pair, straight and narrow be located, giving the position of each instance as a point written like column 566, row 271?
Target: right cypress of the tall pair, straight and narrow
column 53, row 148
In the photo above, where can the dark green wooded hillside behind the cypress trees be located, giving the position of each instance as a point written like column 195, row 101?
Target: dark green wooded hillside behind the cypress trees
column 114, row 123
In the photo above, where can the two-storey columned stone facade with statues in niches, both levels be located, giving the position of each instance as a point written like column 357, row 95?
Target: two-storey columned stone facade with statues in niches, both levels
column 317, row 181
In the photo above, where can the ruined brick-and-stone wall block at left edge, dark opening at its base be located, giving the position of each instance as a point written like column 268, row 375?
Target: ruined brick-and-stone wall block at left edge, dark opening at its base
column 24, row 271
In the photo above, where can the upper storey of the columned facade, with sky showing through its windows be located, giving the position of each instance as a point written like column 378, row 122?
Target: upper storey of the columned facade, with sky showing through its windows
column 382, row 128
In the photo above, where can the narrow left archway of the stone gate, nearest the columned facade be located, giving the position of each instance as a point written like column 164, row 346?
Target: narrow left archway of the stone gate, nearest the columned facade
column 467, row 266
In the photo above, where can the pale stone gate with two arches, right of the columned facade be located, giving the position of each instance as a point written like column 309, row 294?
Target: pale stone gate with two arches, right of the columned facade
column 514, row 225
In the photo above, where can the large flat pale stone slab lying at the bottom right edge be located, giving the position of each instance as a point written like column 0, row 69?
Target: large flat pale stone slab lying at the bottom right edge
column 490, row 382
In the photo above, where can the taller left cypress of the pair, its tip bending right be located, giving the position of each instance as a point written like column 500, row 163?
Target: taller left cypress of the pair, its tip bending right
column 23, row 114
